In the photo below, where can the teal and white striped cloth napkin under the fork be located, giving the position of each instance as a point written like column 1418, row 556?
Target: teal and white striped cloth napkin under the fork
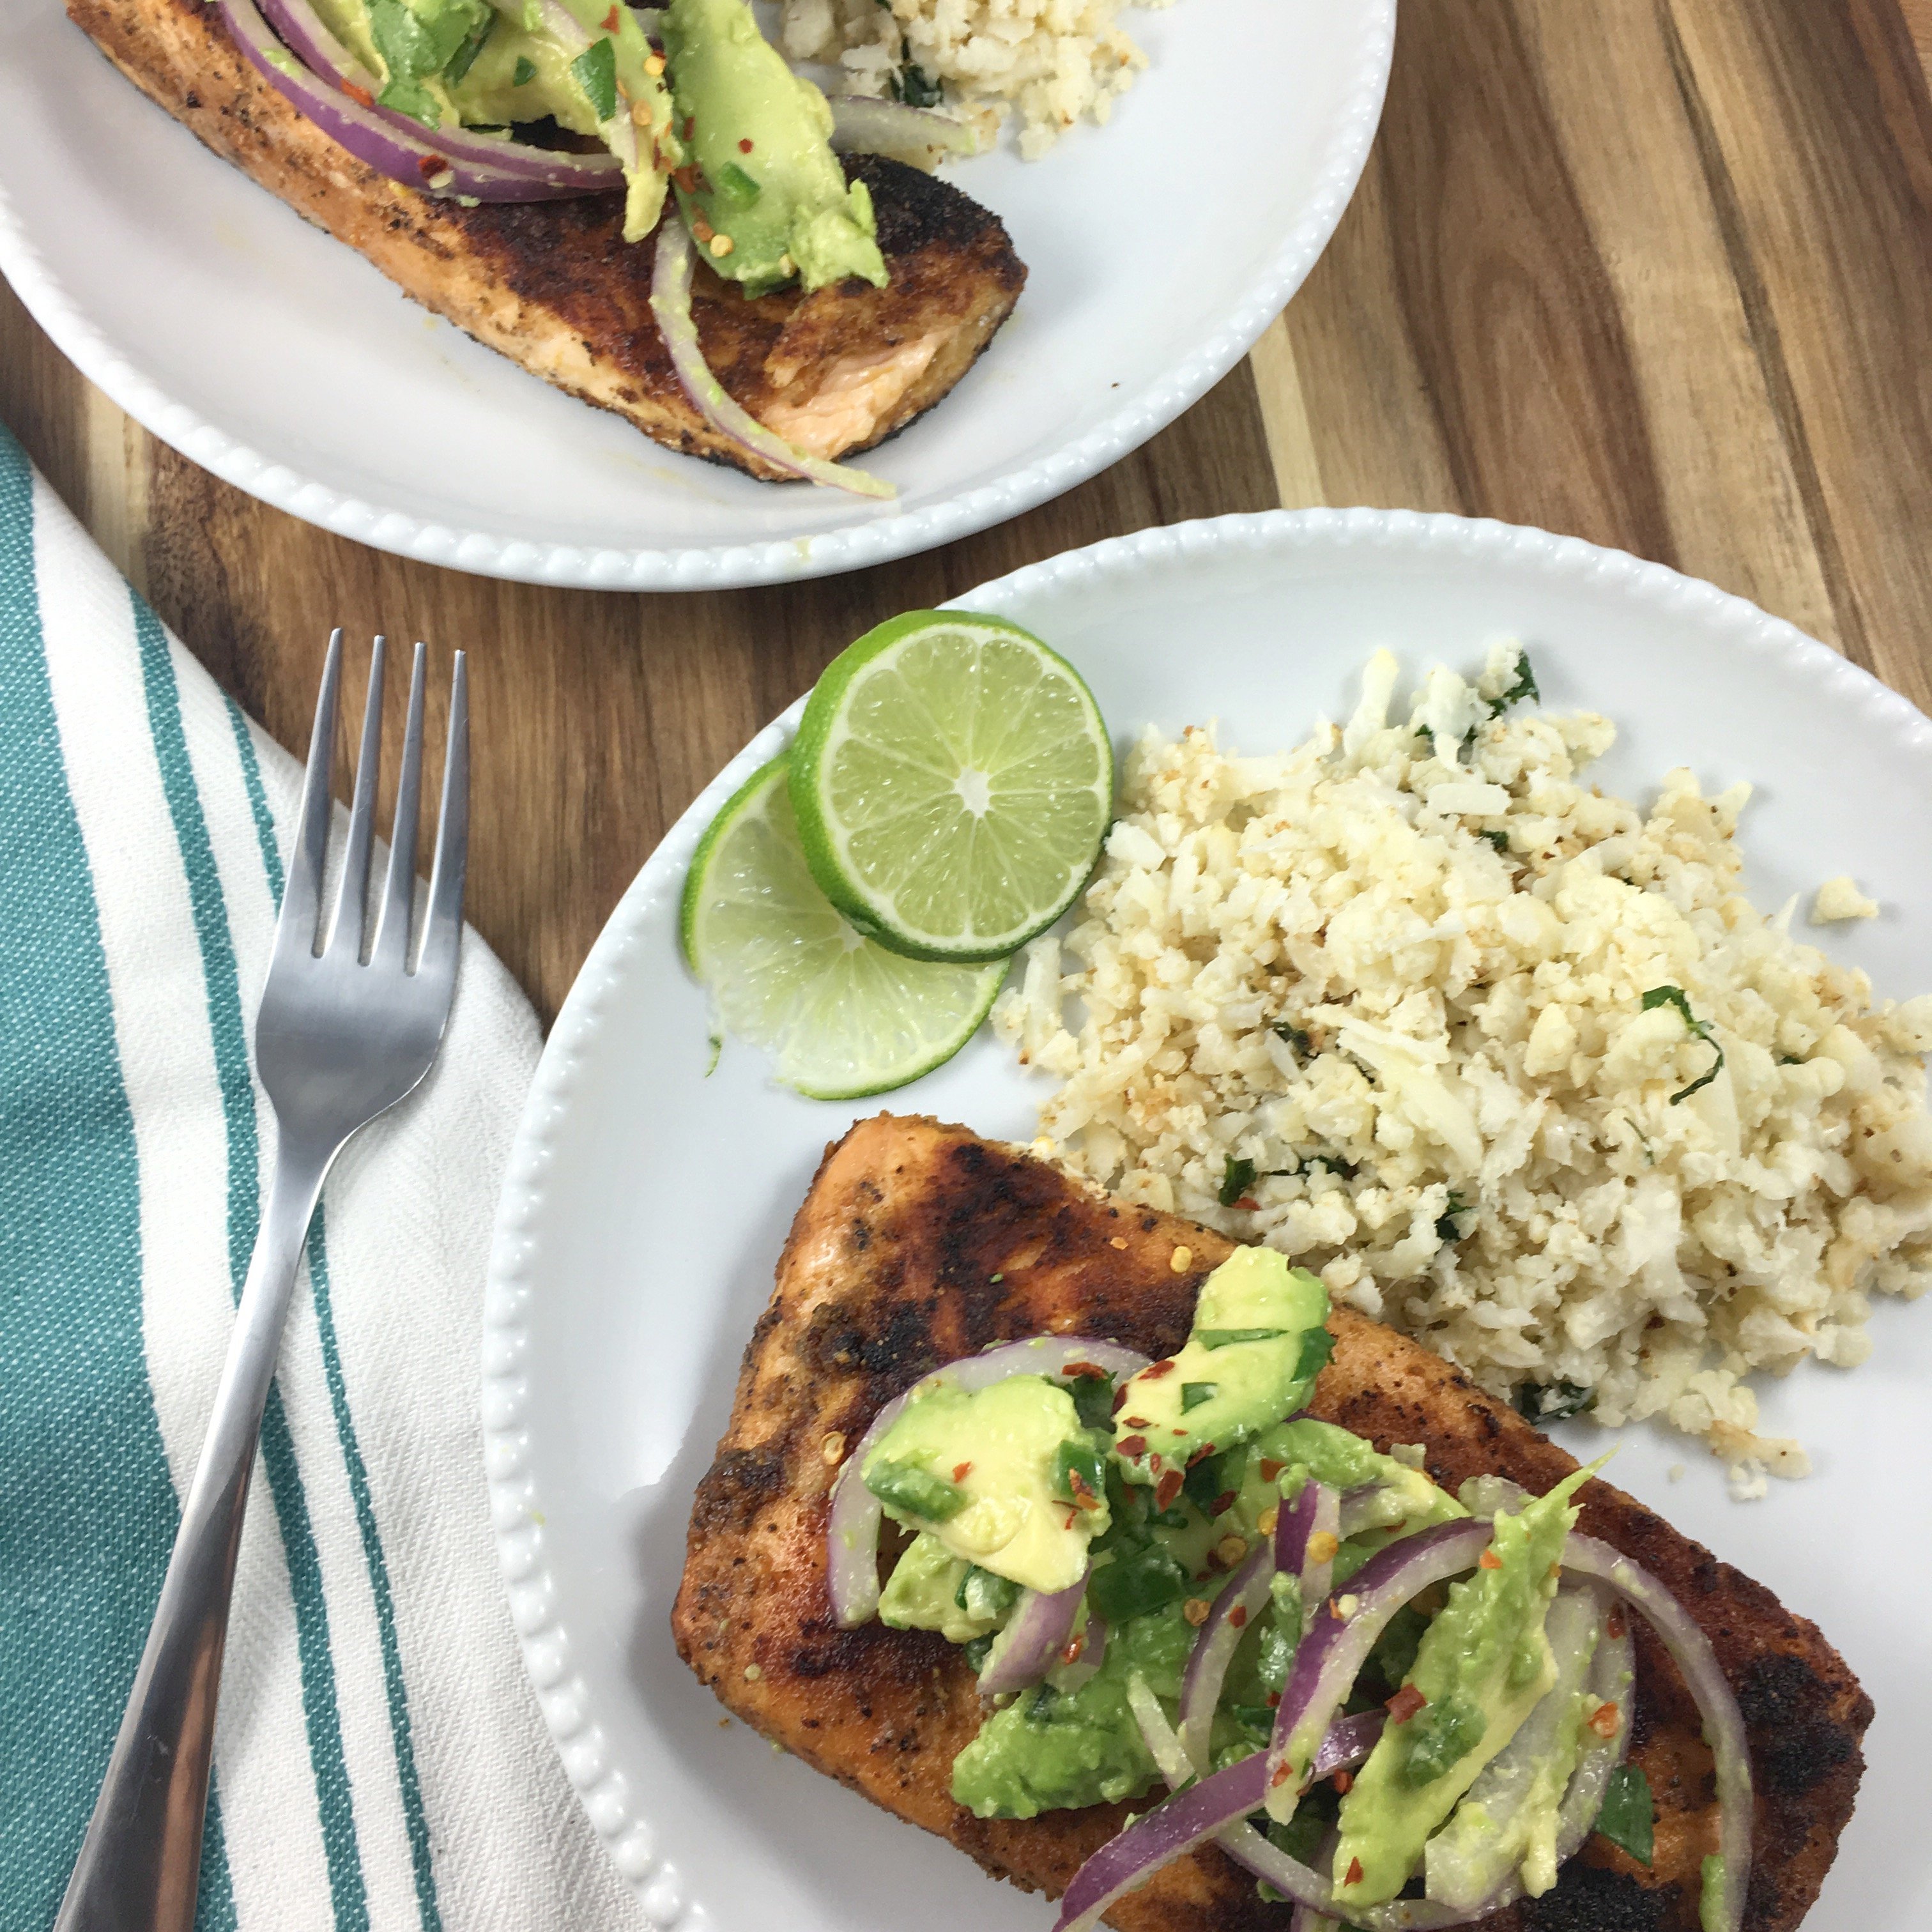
column 380, row 1759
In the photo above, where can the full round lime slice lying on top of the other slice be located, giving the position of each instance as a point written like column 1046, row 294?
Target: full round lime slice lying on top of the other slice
column 953, row 783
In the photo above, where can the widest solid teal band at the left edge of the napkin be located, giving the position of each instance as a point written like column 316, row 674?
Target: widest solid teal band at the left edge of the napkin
column 88, row 1510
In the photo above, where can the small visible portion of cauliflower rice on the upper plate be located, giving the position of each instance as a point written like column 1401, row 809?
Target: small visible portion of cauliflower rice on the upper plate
column 1052, row 61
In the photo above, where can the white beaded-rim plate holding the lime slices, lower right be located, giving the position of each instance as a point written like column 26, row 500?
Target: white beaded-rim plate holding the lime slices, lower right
column 646, row 1203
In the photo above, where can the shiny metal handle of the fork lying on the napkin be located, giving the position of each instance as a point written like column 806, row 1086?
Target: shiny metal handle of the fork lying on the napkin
column 140, row 1865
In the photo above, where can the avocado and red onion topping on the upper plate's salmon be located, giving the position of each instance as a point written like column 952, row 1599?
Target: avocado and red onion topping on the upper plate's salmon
column 478, row 101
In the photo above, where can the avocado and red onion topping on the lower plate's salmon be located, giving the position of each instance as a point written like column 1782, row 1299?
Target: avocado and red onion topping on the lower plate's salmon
column 1166, row 1574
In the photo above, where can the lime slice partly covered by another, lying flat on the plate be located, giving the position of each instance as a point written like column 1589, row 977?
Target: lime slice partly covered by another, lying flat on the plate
column 838, row 1015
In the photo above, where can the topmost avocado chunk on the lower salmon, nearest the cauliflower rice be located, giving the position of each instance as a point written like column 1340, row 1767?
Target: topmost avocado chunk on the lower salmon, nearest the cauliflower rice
column 1247, row 1365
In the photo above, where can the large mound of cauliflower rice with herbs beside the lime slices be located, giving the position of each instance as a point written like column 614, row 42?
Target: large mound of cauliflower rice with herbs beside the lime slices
column 1386, row 994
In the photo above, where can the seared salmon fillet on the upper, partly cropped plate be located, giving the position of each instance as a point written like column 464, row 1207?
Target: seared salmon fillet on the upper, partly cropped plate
column 555, row 287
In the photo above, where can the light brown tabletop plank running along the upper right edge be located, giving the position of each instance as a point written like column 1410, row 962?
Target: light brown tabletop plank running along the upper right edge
column 1840, row 242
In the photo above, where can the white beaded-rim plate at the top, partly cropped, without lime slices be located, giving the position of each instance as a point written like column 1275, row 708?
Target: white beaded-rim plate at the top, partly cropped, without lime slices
column 1160, row 248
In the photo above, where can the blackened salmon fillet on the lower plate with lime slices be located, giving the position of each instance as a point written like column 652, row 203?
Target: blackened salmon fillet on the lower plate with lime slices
column 923, row 1243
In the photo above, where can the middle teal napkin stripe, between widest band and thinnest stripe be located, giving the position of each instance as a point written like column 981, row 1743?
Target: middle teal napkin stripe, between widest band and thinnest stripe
column 223, row 986
